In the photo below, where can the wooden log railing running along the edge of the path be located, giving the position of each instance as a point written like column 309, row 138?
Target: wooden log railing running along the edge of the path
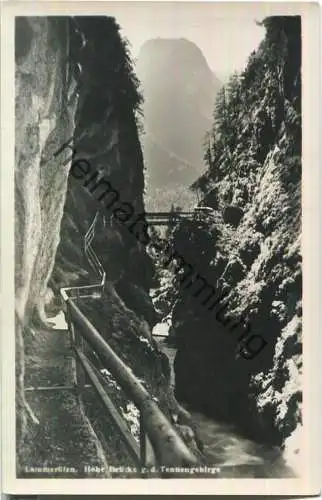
column 159, row 444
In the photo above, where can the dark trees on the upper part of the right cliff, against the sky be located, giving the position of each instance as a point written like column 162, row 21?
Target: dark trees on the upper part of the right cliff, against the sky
column 271, row 78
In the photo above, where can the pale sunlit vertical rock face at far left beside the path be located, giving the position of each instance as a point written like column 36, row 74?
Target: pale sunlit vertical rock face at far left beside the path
column 44, row 118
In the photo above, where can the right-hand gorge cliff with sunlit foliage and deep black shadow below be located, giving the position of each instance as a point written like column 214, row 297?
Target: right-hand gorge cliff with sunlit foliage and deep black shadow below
column 249, row 250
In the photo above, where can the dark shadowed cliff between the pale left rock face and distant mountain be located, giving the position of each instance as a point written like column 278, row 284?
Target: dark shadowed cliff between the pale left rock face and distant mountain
column 106, row 136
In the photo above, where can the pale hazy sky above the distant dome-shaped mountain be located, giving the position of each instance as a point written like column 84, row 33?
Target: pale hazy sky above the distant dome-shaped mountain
column 225, row 39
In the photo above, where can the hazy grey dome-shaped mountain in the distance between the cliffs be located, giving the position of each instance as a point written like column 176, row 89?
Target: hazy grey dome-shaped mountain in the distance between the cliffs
column 179, row 89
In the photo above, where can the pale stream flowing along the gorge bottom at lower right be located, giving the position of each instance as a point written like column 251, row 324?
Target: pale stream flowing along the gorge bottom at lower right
column 235, row 455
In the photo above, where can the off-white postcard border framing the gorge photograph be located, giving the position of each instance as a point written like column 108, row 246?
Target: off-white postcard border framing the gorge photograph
column 309, row 482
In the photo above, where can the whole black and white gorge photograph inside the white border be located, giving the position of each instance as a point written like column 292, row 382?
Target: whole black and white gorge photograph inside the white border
column 158, row 259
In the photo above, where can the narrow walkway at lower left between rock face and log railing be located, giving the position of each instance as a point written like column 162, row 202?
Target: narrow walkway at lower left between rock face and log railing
column 62, row 439
